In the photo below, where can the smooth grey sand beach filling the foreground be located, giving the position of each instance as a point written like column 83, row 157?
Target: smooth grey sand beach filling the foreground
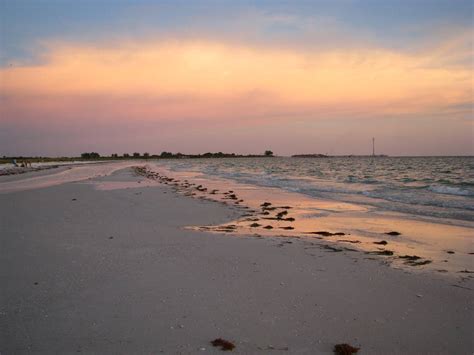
column 114, row 271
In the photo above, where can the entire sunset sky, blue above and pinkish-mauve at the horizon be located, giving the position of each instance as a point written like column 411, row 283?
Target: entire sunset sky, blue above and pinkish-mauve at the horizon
column 117, row 76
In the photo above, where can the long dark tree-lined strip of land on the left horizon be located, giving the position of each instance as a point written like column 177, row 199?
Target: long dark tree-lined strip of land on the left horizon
column 135, row 155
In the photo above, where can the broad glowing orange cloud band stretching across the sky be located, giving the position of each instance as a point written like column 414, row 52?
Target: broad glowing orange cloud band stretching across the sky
column 152, row 80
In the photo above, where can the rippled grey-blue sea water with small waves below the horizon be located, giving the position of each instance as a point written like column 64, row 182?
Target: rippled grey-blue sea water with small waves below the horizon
column 439, row 187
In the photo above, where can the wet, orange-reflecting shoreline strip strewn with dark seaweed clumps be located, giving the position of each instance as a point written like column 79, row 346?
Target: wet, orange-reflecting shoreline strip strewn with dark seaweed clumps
column 418, row 245
